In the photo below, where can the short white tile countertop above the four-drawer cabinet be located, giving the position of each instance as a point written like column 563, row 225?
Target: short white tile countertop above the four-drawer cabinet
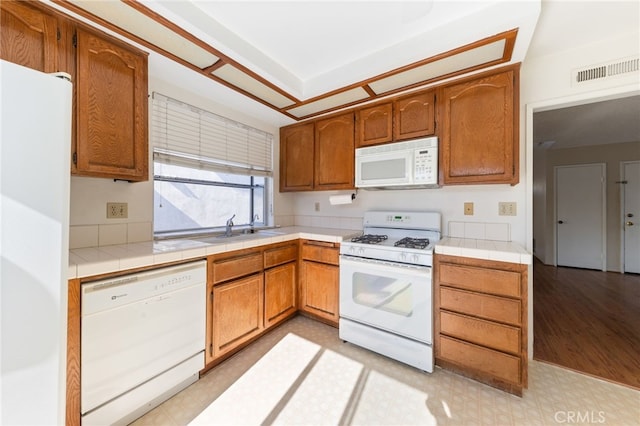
column 503, row 251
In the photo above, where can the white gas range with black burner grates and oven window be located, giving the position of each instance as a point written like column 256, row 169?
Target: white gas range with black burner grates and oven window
column 386, row 286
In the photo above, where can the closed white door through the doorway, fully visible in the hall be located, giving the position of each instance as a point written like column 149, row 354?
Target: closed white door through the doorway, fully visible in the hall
column 580, row 216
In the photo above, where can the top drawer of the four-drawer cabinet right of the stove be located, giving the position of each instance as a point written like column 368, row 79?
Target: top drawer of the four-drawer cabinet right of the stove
column 494, row 281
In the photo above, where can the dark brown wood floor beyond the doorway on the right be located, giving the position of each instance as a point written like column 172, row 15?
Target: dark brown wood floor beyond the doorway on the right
column 588, row 321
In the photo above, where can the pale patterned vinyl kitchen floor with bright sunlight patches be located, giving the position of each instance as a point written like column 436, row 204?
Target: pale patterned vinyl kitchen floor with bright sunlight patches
column 384, row 392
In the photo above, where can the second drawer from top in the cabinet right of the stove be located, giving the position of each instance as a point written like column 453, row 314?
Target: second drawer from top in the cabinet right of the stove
column 481, row 305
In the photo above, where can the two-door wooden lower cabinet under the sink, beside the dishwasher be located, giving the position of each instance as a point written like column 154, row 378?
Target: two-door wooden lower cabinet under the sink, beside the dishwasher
column 248, row 291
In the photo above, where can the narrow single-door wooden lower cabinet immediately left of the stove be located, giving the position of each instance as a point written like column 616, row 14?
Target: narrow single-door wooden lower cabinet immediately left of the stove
column 319, row 280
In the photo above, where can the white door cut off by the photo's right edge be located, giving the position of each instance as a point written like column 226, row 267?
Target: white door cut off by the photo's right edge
column 631, row 211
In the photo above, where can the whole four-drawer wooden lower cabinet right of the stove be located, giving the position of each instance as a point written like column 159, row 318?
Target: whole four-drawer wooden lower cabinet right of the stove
column 480, row 320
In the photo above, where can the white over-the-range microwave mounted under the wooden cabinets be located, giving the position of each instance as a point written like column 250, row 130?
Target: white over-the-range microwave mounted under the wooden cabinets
column 398, row 165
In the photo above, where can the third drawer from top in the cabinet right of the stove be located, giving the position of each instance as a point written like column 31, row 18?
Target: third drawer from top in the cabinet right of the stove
column 482, row 332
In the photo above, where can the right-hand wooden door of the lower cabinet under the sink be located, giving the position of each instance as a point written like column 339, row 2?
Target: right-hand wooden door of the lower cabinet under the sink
column 279, row 293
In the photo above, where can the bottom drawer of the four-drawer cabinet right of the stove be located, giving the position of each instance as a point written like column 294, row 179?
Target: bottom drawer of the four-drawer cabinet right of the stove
column 497, row 364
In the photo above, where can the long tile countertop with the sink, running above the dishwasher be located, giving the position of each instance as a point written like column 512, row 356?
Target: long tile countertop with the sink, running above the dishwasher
column 85, row 262
